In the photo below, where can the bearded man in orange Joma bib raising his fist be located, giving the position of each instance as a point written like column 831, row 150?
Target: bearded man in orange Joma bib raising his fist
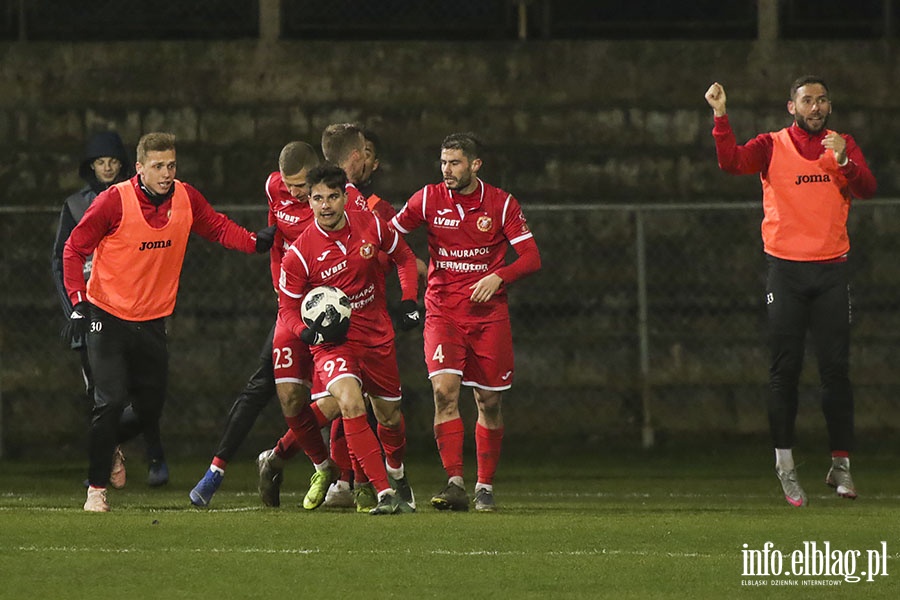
column 809, row 175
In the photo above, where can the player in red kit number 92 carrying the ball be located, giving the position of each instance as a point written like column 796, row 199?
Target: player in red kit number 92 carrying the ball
column 341, row 249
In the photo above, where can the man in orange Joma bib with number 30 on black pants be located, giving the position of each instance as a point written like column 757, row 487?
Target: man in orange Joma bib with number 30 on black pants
column 137, row 231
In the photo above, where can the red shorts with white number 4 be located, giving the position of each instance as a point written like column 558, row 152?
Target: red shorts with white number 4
column 480, row 353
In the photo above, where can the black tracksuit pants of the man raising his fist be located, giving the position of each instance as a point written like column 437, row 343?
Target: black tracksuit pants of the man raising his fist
column 813, row 297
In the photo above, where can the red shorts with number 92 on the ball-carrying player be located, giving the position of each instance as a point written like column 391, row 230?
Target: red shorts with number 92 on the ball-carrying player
column 374, row 368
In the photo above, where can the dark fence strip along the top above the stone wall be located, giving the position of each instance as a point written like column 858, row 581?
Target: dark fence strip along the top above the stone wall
column 134, row 20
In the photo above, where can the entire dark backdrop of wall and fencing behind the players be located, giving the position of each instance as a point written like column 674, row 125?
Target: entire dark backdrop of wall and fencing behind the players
column 645, row 325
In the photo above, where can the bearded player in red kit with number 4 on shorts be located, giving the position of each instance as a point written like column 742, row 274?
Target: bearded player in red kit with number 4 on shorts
column 468, row 339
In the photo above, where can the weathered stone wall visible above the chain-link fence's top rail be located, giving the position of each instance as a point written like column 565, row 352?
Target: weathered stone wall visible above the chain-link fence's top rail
column 566, row 121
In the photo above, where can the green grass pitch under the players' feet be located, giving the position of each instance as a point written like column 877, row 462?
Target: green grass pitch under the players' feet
column 577, row 524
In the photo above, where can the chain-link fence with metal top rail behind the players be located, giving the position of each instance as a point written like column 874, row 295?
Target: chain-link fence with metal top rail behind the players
column 645, row 321
